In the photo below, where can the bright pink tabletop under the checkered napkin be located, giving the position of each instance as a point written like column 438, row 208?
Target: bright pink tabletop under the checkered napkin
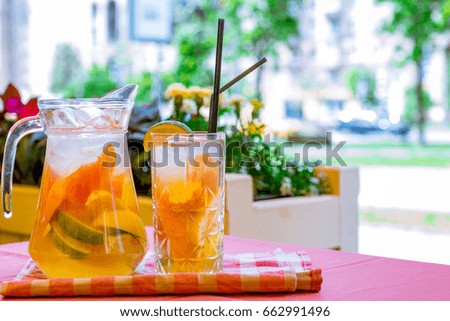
column 346, row 276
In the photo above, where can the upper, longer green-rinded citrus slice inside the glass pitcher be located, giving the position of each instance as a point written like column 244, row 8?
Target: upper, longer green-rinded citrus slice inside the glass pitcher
column 78, row 230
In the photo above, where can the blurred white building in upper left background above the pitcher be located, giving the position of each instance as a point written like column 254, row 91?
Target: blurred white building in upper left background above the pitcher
column 97, row 29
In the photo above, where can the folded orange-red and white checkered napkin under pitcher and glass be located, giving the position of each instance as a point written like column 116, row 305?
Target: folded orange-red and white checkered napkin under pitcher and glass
column 275, row 271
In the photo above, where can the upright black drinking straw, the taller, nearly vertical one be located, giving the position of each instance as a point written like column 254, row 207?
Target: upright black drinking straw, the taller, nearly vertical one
column 214, row 110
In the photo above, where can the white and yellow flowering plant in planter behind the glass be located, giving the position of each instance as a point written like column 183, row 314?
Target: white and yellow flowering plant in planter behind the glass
column 246, row 152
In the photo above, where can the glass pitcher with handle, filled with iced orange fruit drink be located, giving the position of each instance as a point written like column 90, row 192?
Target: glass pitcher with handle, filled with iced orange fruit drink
column 88, row 222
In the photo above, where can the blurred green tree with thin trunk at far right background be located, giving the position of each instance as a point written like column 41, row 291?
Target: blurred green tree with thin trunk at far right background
column 418, row 21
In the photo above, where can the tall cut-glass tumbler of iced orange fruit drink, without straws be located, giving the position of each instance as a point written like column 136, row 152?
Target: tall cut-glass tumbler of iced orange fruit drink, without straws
column 188, row 201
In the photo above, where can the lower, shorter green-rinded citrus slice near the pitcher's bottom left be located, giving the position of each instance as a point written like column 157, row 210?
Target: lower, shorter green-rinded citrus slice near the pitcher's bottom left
column 67, row 245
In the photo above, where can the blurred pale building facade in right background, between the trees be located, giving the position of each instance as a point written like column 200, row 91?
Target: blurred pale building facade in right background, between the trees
column 336, row 37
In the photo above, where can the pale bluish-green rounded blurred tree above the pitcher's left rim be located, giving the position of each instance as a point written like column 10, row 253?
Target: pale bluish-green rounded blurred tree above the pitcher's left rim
column 66, row 69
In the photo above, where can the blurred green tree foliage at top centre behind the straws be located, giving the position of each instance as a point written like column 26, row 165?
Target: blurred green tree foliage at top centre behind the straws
column 253, row 28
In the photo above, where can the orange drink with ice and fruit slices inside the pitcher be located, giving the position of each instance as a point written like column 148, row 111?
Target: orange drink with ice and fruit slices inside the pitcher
column 88, row 222
